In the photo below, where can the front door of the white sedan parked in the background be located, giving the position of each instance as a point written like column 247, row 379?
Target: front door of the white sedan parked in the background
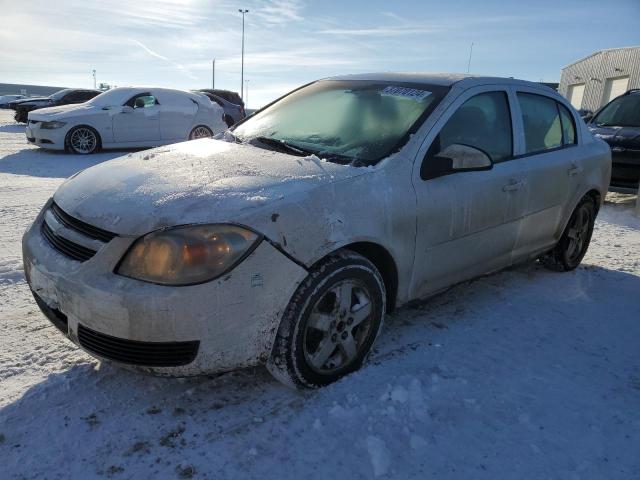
column 140, row 123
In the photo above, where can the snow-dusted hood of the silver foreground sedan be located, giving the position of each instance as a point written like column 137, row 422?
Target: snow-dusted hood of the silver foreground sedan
column 202, row 181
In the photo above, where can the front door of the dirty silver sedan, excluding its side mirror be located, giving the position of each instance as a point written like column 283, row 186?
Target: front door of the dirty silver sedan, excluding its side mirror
column 468, row 220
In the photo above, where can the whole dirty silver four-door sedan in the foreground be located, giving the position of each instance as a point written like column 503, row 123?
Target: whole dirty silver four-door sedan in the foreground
column 286, row 243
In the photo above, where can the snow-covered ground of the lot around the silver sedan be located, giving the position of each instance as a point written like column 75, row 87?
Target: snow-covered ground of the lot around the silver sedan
column 525, row 374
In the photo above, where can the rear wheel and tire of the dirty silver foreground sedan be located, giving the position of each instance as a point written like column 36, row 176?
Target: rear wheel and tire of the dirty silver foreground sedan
column 575, row 239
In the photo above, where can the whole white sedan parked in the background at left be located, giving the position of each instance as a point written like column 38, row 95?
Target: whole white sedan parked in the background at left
column 126, row 117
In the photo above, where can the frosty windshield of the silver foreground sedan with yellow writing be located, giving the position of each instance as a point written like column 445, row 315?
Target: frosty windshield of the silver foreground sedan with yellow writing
column 353, row 119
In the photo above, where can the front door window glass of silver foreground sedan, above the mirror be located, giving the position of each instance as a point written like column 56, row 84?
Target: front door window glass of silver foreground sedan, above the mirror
column 482, row 122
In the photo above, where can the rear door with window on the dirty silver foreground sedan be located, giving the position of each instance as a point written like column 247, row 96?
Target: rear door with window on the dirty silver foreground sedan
column 549, row 152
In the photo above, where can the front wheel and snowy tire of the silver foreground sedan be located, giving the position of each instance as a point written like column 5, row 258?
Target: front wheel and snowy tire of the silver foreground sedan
column 350, row 332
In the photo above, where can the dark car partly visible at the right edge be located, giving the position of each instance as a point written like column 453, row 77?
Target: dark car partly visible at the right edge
column 618, row 124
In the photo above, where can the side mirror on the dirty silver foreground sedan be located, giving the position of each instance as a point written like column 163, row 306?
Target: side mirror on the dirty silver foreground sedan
column 455, row 158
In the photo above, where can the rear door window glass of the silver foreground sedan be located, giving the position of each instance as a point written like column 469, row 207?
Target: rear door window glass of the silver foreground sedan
column 541, row 121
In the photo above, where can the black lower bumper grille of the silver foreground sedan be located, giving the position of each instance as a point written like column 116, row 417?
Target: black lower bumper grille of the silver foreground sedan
column 148, row 354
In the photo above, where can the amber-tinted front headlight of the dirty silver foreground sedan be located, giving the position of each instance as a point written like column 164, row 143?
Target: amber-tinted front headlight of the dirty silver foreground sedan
column 187, row 255
